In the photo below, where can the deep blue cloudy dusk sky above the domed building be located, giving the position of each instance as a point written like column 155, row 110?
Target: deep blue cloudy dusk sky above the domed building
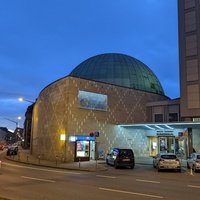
column 43, row 40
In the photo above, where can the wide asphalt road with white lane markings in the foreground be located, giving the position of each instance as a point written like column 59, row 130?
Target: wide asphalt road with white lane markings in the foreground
column 24, row 182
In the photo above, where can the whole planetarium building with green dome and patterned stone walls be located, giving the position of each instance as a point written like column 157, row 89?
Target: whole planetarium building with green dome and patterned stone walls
column 109, row 100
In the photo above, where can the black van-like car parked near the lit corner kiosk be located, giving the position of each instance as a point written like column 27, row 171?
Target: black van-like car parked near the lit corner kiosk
column 121, row 158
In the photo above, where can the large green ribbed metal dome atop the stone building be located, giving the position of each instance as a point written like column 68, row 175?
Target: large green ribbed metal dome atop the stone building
column 119, row 69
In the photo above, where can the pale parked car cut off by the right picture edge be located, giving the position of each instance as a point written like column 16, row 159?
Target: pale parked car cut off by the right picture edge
column 193, row 162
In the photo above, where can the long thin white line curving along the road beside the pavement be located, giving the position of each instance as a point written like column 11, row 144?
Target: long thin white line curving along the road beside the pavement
column 41, row 169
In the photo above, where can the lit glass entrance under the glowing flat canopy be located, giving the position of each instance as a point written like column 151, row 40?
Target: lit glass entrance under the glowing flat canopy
column 179, row 138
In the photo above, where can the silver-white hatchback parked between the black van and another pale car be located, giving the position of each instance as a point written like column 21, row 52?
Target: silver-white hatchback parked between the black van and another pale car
column 166, row 161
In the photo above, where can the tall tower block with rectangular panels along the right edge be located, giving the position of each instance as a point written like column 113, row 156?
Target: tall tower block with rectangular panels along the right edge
column 189, row 57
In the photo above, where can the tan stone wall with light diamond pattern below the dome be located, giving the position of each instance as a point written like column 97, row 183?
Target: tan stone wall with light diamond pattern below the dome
column 57, row 111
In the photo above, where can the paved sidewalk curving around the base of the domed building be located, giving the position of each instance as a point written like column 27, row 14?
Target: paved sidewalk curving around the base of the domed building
column 25, row 157
